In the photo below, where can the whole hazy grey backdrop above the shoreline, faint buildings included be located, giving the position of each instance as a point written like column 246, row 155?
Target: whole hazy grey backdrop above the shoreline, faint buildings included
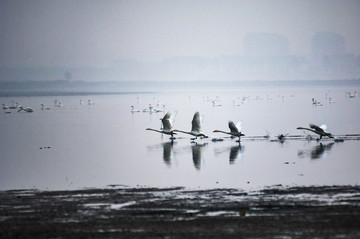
column 179, row 40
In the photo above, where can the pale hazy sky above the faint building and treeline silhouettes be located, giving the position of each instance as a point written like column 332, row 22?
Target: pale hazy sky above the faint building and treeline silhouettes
column 95, row 33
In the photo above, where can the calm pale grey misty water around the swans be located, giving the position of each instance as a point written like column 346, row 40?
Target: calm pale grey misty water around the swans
column 80, row 146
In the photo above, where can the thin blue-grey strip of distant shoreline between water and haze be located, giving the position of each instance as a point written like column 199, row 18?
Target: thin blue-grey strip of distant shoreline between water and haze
column 69, row 88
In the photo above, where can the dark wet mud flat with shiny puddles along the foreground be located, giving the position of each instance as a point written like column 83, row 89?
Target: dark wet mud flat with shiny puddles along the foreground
column 116, row 211
